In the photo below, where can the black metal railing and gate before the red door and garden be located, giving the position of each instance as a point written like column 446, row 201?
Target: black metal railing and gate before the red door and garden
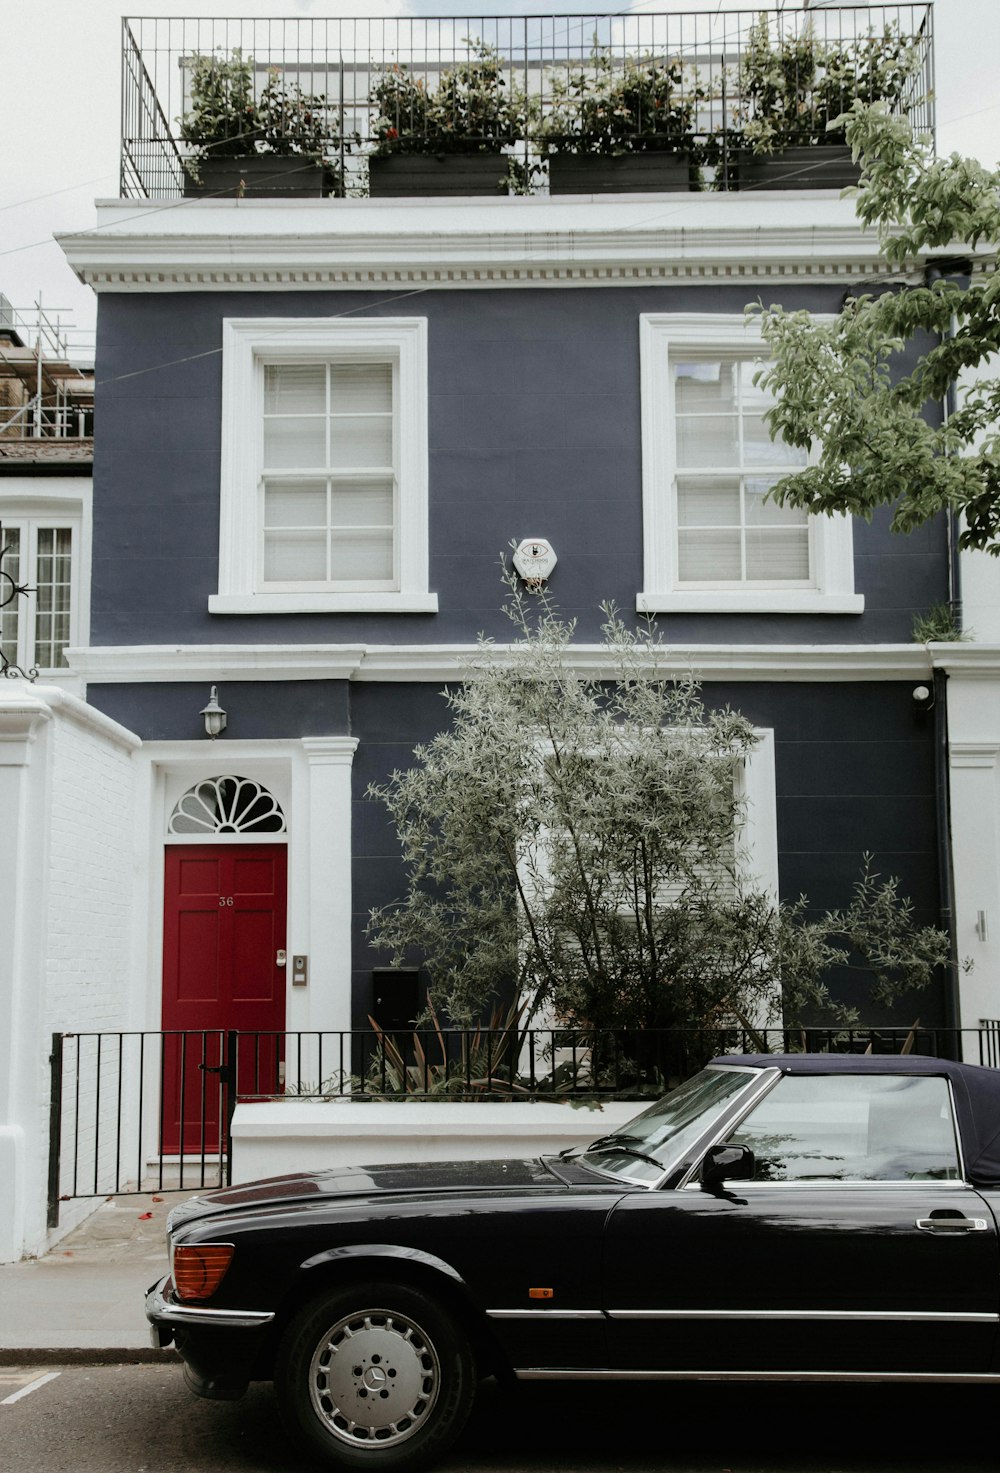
column 154, row 1111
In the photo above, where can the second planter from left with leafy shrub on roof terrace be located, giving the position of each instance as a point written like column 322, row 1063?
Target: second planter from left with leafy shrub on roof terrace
column 448, row 141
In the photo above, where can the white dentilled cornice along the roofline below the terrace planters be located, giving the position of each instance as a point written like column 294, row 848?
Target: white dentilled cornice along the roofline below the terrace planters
column 248, row 245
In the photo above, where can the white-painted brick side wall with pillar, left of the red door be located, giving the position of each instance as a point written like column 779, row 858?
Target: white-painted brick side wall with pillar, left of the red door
column 67, row 926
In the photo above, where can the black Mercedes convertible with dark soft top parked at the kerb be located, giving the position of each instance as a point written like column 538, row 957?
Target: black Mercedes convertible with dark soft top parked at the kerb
column 775, row 1217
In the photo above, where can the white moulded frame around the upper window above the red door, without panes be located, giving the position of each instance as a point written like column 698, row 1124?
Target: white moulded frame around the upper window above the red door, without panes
column 248, row 345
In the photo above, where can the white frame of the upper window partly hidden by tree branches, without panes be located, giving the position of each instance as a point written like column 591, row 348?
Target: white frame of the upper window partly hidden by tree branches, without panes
column 662, row 338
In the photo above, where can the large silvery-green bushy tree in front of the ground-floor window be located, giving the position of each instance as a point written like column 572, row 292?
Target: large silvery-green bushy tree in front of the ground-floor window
column 574, row 842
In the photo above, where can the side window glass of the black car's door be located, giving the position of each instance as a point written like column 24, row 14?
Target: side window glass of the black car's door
column 856, row 1128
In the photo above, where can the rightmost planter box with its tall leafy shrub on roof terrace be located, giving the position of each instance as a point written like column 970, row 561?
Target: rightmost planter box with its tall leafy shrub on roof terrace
column 793, row 94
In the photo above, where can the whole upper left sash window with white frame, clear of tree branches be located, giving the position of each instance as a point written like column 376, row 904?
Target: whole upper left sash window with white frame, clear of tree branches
column 325, row 468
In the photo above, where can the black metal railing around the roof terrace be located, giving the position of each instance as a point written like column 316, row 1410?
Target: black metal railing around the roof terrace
column 529, row 88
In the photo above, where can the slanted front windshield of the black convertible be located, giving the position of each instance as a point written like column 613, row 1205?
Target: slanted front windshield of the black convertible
column 659, row 1136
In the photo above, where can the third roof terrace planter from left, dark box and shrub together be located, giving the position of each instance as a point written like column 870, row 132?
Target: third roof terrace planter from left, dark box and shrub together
column 622, row 126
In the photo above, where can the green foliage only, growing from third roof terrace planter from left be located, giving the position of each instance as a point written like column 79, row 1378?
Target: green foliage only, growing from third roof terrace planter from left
column 630, row 105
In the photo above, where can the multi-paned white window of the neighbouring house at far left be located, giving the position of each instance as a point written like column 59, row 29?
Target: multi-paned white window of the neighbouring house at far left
column 43, row 555
